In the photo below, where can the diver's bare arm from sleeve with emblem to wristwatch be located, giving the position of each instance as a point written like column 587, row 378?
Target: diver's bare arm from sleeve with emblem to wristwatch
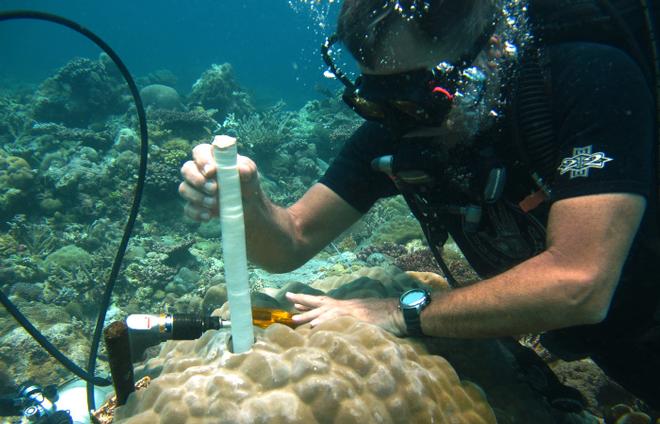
column 571, row 283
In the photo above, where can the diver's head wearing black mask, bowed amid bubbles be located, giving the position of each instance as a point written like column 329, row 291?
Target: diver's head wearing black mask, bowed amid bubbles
column 413, row 55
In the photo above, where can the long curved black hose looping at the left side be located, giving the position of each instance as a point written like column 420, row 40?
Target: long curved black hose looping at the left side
column 89, row 376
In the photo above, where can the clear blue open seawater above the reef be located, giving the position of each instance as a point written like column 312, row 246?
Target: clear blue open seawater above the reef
column 273, row 45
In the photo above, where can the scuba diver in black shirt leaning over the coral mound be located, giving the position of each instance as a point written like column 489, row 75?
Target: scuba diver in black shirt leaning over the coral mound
column 526, row 133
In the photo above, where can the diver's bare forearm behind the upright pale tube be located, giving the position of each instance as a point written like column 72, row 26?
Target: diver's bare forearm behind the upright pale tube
column 280, row 240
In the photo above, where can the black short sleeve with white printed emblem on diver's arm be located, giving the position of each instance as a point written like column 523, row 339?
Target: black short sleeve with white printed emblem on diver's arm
column 604, row 113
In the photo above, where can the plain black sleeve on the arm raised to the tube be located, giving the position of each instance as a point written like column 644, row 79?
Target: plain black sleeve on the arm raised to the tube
column 350, row 174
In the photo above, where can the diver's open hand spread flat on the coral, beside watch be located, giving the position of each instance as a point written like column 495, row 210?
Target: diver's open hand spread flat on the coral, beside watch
column 384, row 313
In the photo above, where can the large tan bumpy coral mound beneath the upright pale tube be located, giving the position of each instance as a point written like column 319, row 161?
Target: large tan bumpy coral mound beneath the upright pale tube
column 342, row 371
